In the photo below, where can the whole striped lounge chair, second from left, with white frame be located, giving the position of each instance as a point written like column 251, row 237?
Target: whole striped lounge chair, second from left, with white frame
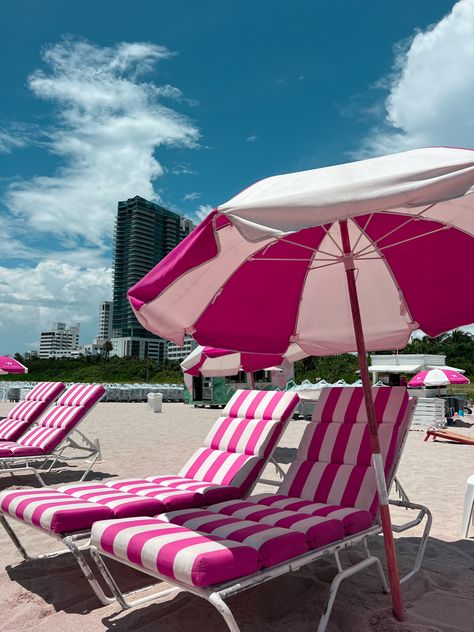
column 50, row 438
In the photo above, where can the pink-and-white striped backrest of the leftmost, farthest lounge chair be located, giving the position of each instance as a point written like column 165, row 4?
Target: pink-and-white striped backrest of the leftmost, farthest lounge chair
column 25, row 413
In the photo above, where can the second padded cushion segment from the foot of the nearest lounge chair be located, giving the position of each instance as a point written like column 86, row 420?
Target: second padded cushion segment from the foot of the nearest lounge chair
column 275, row 544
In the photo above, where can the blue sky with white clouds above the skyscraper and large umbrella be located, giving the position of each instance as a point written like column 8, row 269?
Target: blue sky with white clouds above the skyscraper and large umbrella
column 189, row 102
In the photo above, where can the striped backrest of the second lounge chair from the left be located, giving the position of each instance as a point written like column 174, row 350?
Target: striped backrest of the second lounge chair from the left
column 63, row 417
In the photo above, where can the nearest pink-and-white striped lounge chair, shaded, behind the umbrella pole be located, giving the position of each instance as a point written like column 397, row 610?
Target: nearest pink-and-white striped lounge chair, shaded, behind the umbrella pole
column 326, row 502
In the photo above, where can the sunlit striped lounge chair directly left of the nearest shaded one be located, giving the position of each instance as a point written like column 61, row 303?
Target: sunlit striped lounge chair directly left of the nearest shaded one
column 226, row 467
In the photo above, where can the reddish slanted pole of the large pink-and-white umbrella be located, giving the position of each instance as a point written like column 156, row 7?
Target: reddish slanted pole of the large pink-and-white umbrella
column 377, row 461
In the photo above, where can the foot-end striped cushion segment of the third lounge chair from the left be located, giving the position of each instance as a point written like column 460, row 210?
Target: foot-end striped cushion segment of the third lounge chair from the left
column 51, row 510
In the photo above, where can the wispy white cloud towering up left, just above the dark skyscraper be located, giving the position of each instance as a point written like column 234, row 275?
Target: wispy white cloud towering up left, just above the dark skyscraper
column 110, row 123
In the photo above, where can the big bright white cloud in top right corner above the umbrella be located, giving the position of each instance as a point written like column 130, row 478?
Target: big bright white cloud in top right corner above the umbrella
column 431, row 91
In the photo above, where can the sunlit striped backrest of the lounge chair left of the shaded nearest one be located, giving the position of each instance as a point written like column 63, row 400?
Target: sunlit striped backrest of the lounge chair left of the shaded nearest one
column 238, row 445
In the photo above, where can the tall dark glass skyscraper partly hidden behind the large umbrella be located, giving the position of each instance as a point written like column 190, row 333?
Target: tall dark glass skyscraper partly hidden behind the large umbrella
column 144, row 233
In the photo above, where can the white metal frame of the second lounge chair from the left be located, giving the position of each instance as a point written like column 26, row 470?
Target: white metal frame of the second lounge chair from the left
column 15, row 464
